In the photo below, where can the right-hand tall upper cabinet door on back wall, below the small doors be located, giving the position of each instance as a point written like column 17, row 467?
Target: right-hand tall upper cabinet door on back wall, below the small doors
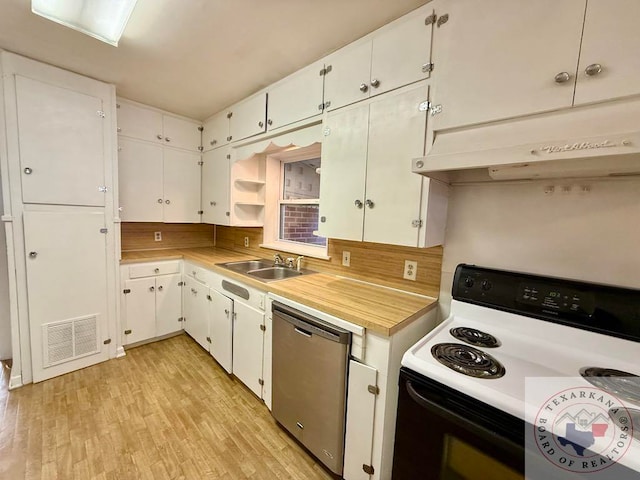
column 181, row 186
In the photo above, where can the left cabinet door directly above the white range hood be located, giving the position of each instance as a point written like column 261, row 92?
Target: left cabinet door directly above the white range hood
column 487, row 71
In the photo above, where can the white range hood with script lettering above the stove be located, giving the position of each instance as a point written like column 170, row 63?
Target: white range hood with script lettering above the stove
column 592, row 141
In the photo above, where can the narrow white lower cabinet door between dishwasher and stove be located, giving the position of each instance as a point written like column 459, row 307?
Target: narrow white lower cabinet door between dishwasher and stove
column 361, row 403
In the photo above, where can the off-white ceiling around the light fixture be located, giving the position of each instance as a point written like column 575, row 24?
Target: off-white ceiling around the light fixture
column 195, row 57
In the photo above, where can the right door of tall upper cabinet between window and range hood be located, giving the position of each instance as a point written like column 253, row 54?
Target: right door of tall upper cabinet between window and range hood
column 396, row 135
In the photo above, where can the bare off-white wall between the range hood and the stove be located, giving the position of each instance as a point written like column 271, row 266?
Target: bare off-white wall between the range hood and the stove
column 592, row 236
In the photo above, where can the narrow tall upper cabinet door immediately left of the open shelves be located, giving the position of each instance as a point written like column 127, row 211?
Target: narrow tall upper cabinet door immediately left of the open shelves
column 215, row 187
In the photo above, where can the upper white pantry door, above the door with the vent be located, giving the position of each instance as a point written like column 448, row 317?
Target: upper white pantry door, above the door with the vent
column 61, row 136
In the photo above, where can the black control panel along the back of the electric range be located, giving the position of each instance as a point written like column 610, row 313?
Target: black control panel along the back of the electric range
column 602, row 308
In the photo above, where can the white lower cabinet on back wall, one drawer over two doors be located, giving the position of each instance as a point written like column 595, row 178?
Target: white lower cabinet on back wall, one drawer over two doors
column 151, row 301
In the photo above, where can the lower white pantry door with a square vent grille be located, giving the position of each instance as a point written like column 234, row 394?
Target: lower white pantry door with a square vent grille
column 67, row 285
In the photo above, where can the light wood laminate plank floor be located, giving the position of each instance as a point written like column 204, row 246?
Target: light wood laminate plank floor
column 165, row 411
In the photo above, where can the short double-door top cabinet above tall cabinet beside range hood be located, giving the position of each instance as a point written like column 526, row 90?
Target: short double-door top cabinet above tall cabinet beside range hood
column 395, row 55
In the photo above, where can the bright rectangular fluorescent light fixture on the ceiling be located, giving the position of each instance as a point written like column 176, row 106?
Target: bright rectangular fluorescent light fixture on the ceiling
column 101, row 19
